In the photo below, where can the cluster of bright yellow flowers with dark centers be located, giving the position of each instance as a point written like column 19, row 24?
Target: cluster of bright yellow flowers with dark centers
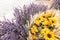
column 43, row 27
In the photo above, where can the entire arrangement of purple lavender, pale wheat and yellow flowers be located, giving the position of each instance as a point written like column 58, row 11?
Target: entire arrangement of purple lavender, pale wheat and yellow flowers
column 33, row 23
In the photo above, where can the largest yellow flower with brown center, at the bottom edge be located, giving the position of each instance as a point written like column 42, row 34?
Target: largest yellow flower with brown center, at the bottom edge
column 47, row 34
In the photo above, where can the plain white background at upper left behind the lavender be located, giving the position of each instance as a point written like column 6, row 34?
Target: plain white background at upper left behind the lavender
column 7, row 6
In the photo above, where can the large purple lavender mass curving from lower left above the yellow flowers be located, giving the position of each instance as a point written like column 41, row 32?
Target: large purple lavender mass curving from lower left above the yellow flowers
column 17, row 30
